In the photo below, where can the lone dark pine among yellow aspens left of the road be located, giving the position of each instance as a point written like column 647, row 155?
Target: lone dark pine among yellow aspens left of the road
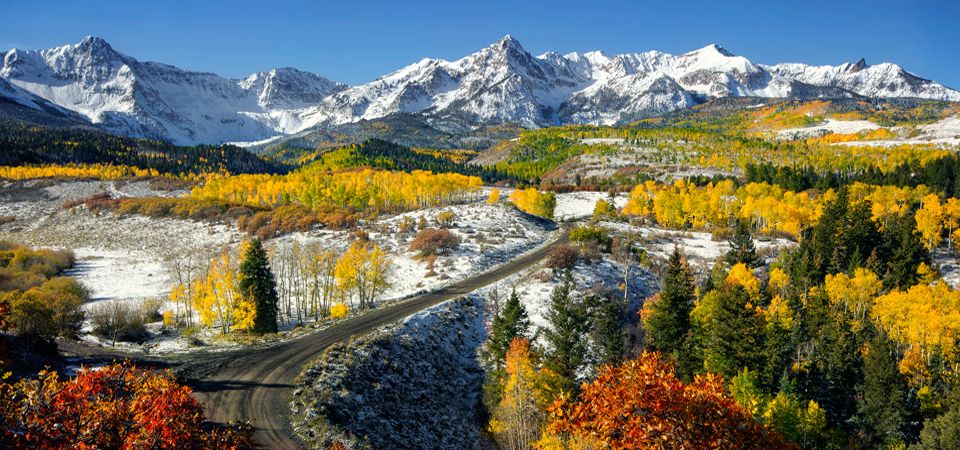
column 257, row 282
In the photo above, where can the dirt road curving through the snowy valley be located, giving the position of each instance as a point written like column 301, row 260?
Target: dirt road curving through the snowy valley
column 255, row 386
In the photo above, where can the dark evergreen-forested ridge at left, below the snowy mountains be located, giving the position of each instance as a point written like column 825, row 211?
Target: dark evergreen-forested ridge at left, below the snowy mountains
column 22, row 144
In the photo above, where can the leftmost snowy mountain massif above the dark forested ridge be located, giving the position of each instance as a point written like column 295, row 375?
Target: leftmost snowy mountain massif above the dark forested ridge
column 147, row 99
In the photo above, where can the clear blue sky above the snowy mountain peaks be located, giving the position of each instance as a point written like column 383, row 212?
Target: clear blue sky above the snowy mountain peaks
column 355, row 41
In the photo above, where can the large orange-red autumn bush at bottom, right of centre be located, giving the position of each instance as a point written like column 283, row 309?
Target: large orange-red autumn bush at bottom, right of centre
column 641, row 404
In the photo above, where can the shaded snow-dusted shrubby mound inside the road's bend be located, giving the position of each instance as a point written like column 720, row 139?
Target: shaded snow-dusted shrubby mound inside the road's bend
column 416, row 384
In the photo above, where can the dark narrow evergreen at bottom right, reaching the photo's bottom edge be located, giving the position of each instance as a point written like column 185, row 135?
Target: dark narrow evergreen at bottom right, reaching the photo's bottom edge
column 882, row 398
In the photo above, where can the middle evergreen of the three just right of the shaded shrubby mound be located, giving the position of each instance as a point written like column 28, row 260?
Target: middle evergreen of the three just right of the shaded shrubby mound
column 565, row 334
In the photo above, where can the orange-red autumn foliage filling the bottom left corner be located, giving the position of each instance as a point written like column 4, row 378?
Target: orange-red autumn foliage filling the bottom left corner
column 117, row 406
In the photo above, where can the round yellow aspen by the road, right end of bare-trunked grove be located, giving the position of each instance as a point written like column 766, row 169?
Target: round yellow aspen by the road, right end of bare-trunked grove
column 362, row 272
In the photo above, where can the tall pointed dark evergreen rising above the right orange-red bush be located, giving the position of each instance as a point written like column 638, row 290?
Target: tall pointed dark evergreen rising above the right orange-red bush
column 668, row 324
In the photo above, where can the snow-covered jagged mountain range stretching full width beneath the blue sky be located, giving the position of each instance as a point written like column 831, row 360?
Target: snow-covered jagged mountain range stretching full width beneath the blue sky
column 500, row 83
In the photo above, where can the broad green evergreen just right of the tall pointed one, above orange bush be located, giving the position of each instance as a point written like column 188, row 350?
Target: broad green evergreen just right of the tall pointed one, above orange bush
column 734, row 338
